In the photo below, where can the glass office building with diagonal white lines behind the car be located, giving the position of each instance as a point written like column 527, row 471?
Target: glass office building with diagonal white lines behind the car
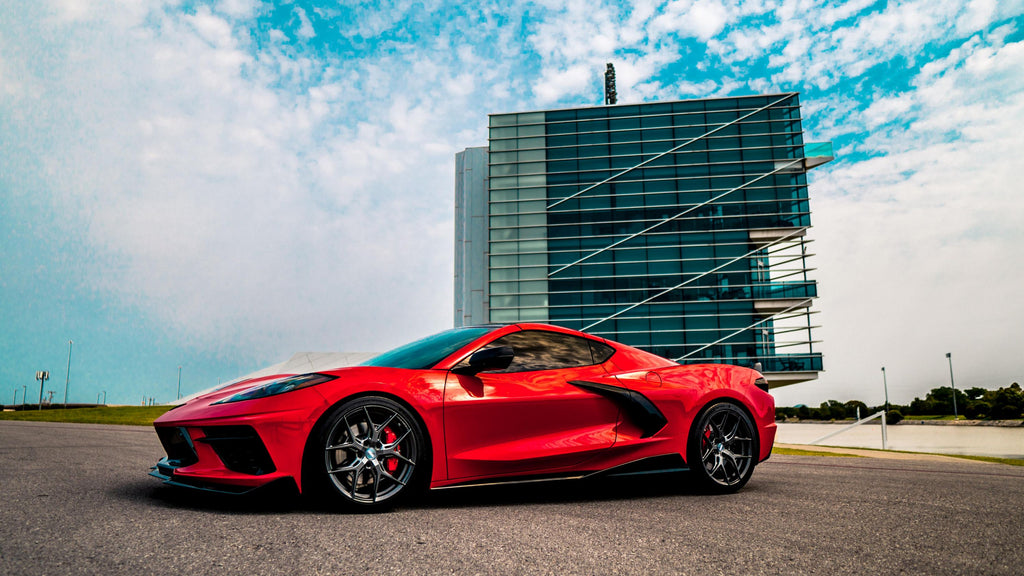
column 679, row 228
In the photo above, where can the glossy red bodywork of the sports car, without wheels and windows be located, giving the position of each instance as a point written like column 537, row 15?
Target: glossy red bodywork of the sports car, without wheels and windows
column 484, row 428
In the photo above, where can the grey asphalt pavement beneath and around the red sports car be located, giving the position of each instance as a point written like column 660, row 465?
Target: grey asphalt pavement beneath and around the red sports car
column 76, row 500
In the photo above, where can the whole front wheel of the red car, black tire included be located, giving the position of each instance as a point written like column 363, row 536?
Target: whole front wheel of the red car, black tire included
column 370, row 455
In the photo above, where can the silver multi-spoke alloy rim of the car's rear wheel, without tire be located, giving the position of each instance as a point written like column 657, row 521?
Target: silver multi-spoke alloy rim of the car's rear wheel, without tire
column 727, row 445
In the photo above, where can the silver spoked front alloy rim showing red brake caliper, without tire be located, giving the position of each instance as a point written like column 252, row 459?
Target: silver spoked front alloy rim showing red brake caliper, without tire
column 372, row 451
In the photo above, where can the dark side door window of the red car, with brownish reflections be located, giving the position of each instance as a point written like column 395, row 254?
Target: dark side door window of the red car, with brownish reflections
column 536, row 350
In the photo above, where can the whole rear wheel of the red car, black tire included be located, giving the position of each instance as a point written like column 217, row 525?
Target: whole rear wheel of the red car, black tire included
column 723, row 448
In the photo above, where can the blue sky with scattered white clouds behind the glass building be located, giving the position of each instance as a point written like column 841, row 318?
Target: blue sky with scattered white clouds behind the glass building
column 216, row 186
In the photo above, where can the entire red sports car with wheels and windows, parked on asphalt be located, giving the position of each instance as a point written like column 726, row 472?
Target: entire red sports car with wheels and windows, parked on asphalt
column 470, row 406
